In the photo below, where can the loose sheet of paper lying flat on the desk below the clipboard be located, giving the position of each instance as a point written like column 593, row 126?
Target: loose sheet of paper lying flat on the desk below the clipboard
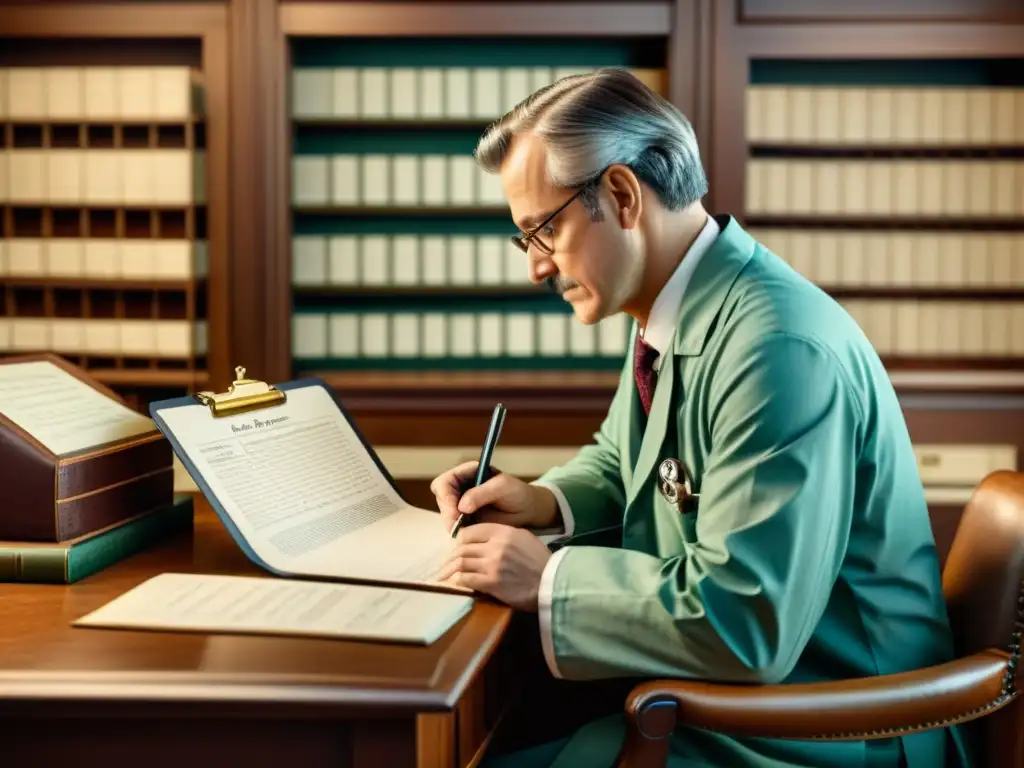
column 198, row 603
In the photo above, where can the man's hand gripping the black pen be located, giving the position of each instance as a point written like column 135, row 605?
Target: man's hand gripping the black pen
column 502, row 499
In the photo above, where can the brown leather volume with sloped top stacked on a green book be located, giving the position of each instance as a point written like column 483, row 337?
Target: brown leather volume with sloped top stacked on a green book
column 88, row 481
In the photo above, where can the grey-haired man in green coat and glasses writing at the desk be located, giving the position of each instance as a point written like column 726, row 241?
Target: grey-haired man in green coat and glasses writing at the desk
column 754, row 465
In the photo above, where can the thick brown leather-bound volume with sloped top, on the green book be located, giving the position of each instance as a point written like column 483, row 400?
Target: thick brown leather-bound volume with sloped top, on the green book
column 74, row 458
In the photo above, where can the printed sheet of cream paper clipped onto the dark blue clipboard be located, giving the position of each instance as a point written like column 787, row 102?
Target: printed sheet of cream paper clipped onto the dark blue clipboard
column 307, row 495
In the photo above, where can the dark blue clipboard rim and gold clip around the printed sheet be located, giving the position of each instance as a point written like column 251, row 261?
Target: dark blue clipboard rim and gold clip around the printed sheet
column 248, row 396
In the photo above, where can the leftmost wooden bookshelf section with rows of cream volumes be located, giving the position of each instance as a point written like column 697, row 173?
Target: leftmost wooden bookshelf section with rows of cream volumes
column 113, row 217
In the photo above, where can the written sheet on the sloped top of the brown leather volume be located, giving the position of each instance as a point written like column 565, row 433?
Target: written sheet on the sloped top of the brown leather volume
column 62, row 412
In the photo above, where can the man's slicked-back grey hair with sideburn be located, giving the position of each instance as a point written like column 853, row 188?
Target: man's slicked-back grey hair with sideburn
column 589, row 122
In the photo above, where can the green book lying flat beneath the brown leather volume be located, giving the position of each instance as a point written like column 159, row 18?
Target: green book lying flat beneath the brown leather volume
column 67, row 563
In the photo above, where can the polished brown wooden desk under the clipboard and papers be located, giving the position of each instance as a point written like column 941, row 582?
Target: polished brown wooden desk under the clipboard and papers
column 91, row 697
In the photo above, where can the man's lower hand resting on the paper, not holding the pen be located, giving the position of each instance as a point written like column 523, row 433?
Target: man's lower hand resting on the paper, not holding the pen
column 499, row 561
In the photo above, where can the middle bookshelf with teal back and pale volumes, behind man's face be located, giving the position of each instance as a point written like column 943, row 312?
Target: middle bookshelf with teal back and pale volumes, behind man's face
column 400, row 252
